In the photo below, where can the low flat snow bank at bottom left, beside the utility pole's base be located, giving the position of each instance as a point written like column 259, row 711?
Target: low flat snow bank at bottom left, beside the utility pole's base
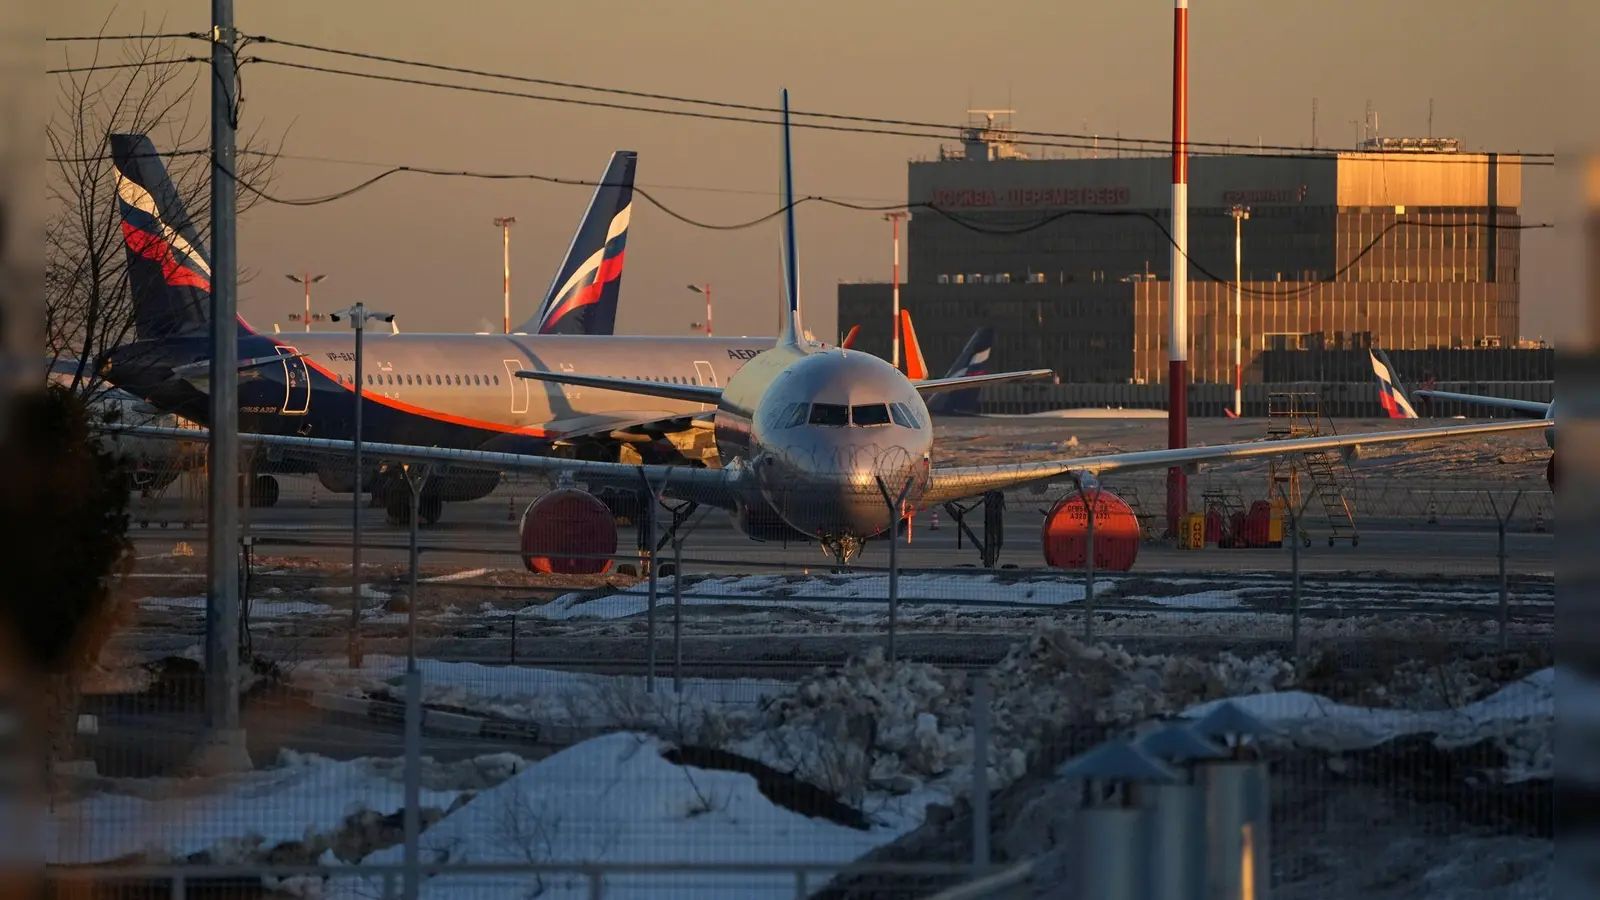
column 302, row 808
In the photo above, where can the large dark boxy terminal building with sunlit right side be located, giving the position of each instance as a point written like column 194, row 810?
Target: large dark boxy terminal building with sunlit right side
column 1404, row 244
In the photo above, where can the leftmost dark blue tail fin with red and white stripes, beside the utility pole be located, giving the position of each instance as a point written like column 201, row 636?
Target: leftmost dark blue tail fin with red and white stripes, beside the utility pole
column 169, row 267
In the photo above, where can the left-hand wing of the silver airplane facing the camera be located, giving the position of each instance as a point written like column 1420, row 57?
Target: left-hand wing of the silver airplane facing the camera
column 713, row 488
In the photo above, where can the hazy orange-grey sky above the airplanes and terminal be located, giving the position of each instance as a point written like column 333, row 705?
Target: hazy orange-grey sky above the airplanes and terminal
column 428, row 251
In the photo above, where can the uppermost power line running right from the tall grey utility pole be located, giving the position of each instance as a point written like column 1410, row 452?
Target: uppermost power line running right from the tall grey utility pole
column 1079, row 139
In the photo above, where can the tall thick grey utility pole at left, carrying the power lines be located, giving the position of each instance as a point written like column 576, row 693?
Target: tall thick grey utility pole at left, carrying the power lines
column 225, row 747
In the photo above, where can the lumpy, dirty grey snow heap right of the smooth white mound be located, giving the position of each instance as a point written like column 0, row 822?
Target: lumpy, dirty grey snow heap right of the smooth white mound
column 874, row 726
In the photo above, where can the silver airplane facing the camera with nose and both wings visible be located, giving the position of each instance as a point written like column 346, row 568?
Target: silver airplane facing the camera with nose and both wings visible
column 823, row 444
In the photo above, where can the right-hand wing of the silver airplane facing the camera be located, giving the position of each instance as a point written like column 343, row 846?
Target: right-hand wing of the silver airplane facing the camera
column 958, row 483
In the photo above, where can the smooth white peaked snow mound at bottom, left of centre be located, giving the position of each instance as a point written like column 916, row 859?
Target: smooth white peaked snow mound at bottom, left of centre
column 617, row 800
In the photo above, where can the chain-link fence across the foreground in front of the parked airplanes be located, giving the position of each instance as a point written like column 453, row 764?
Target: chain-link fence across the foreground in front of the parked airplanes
column 663, row 691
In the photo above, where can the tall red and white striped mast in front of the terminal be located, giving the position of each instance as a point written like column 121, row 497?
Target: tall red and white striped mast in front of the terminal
column 1178, row 348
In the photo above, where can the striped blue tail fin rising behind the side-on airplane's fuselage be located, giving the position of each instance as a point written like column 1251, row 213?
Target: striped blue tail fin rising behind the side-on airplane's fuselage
column 585, row 292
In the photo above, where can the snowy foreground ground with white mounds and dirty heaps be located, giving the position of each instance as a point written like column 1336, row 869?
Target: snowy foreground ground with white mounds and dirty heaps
column 887, row 741
